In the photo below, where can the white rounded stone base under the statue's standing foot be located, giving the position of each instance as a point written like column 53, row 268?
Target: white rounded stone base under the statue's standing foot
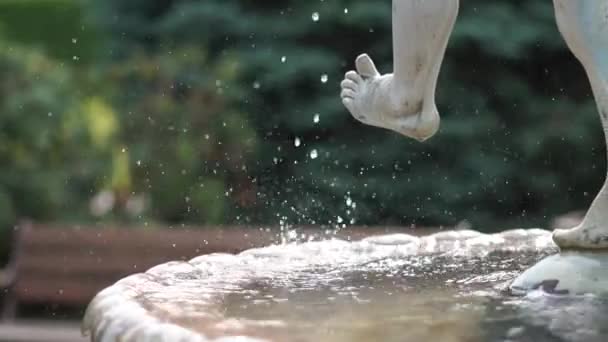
column 567, row 273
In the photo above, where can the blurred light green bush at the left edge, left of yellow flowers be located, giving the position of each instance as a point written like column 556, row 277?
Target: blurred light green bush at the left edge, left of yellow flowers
column 43, row 139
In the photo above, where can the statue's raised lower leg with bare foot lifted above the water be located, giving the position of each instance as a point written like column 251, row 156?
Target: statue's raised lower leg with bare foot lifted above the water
column 405, row 100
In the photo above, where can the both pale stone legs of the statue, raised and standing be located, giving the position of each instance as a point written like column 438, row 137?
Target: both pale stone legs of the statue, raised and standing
column 405, row 100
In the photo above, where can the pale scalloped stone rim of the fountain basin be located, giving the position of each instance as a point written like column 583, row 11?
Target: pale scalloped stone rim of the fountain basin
column 114, row 313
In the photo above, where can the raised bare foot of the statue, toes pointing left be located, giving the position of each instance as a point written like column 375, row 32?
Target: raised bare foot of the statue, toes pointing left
column 375, row 100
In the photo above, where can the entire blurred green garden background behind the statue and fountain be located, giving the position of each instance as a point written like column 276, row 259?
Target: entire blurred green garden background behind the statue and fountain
column 227, row 112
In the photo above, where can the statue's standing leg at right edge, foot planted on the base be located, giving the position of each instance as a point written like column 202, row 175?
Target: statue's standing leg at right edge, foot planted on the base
column 584, row 25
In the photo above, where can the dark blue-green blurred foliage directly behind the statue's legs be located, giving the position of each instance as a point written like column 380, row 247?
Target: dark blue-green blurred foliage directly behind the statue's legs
column 520, row 140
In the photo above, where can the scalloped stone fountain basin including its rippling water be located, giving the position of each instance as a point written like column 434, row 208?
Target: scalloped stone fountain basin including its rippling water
column 446, row 287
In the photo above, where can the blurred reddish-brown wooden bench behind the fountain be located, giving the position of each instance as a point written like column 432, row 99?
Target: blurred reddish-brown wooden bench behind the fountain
column 67, row 266
